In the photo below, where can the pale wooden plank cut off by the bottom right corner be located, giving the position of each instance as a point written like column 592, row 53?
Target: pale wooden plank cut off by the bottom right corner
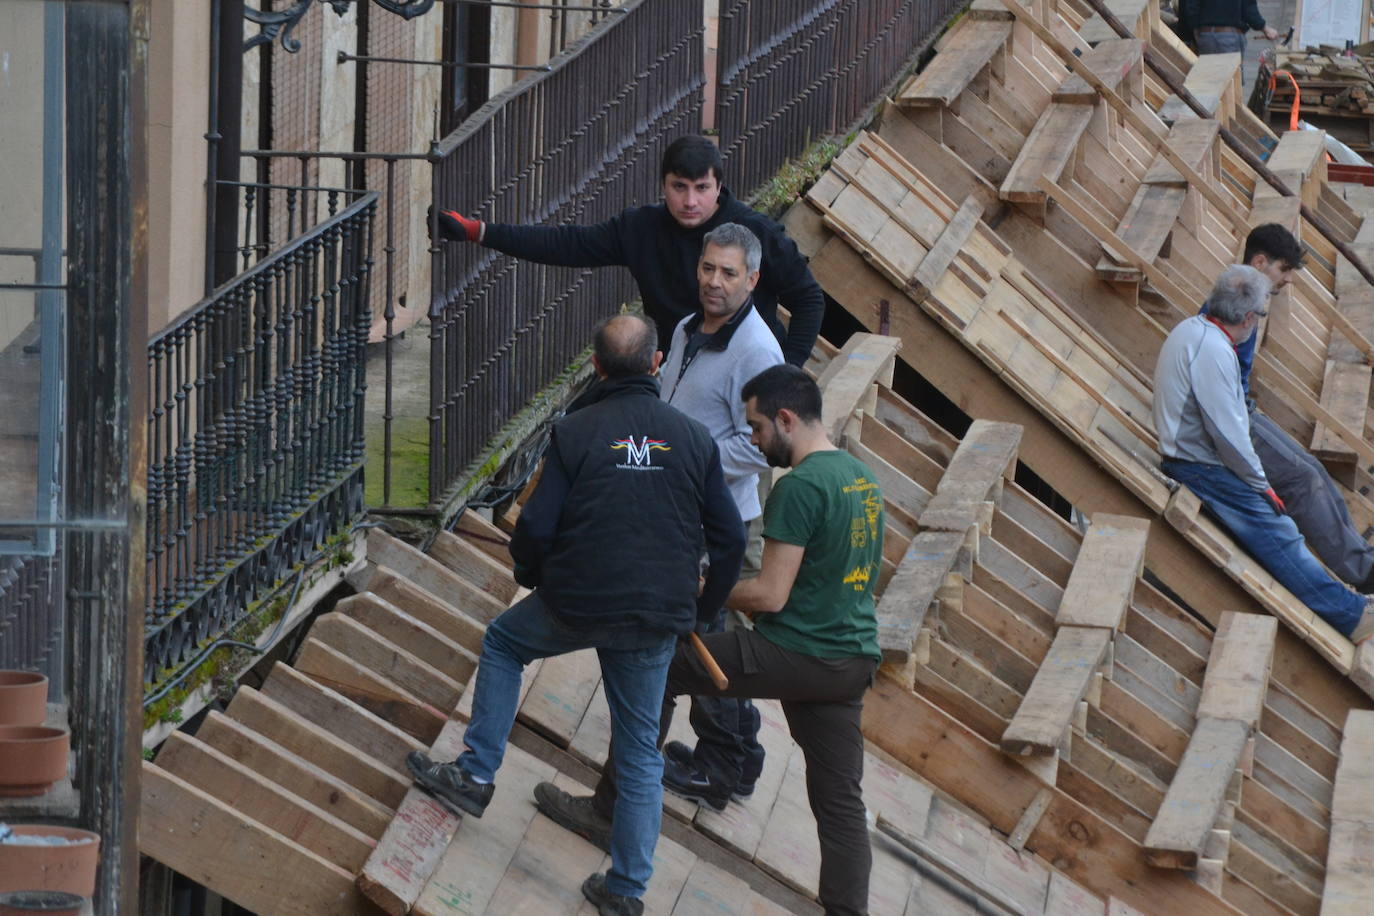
column 1350, row 870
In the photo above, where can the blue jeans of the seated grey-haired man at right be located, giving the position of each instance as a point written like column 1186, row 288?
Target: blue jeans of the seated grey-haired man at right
column 1272, row 539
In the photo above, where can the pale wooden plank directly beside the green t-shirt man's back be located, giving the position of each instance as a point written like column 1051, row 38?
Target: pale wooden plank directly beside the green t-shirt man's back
column 930, row 561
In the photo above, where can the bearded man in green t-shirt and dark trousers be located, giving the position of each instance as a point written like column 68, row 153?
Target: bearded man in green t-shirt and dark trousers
column 815, row 638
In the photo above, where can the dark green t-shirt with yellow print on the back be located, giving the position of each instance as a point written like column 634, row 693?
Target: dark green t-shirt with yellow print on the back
column 832, row 507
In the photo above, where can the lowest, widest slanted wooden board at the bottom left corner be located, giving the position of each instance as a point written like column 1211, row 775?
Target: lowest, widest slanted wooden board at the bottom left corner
column 196, row 834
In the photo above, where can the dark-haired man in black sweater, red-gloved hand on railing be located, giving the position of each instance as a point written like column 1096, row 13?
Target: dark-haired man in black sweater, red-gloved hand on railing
column 662, row 242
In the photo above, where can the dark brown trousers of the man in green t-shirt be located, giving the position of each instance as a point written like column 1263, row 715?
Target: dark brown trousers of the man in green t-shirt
column 824, row 704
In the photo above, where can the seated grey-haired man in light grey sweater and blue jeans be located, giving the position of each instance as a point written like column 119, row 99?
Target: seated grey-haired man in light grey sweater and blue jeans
column 1203, row 424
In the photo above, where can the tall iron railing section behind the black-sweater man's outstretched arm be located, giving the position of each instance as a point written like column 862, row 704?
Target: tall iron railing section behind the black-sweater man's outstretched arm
column 575, row 145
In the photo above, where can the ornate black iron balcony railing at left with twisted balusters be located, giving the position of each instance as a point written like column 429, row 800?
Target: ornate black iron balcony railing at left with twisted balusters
column 256, row 421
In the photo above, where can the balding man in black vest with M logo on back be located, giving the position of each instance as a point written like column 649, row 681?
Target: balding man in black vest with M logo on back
column 611, row 540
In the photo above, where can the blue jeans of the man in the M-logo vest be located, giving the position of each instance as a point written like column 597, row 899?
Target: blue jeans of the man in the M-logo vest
column 634, row 674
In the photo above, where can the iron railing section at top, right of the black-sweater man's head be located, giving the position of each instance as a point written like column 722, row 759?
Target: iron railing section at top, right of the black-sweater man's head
column 791, row 73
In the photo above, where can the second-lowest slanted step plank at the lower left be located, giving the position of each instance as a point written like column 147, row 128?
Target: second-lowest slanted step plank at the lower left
column 264, row 801
